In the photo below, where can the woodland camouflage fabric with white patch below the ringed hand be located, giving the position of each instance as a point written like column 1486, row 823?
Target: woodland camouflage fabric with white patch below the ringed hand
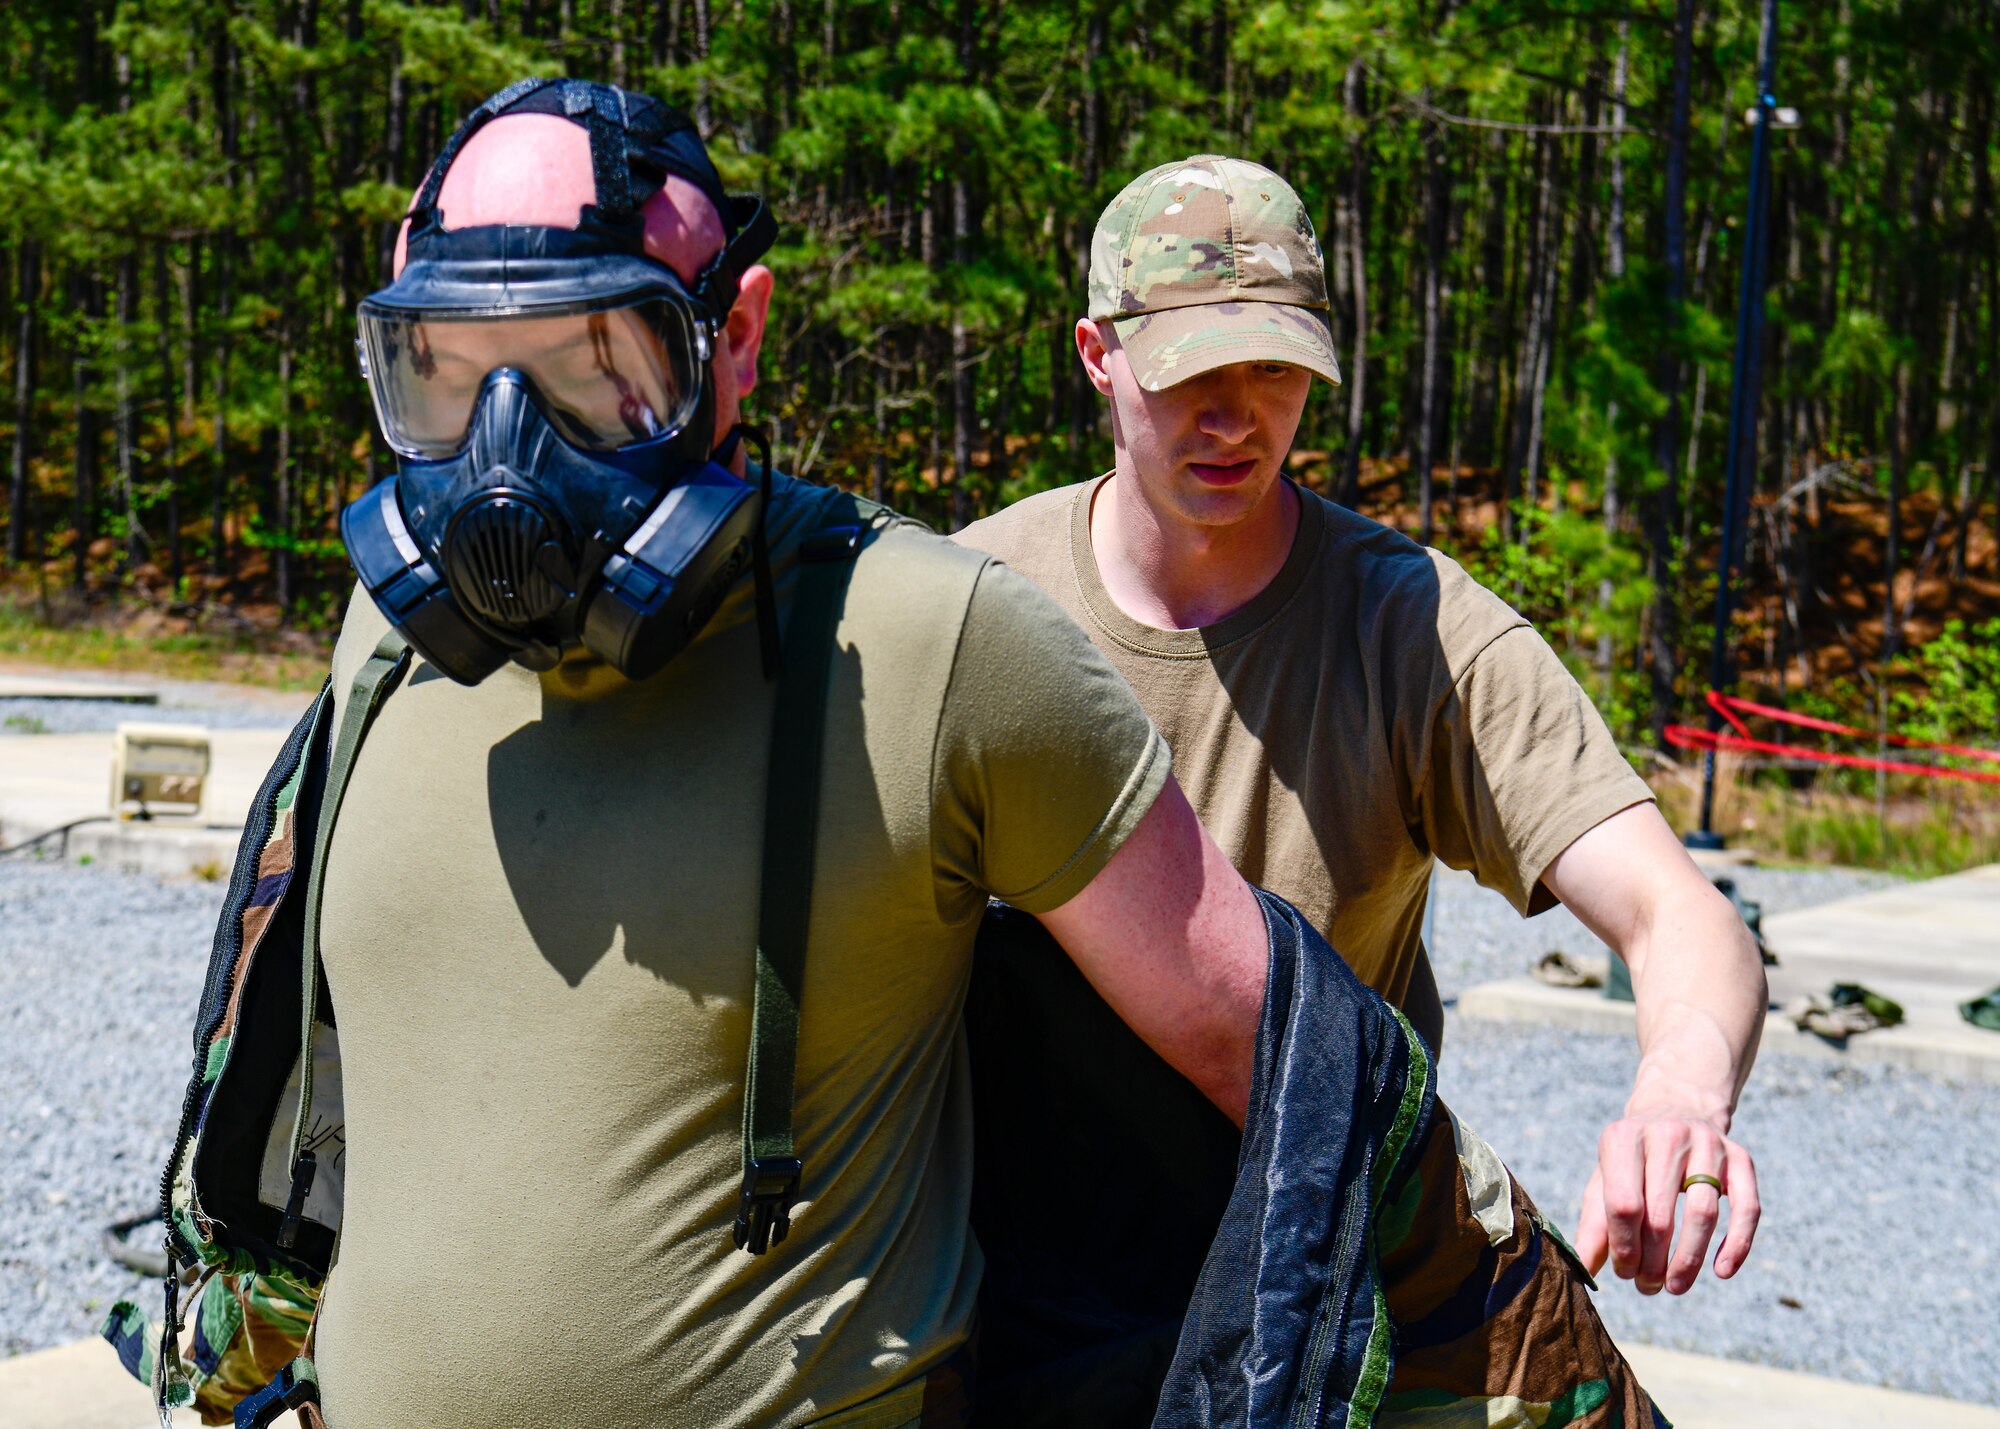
column 1493, row 1312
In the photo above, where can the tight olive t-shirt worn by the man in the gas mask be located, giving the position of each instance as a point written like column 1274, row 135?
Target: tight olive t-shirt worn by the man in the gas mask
column 539, row 928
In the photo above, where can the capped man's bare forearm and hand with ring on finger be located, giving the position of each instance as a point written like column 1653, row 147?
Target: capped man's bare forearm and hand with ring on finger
column 1701, row 994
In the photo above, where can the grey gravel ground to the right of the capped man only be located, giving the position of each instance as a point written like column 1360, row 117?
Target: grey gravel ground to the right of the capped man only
column 1875, row 1258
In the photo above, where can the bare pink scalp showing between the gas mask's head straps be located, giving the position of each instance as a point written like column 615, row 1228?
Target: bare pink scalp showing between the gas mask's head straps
column 535, row 169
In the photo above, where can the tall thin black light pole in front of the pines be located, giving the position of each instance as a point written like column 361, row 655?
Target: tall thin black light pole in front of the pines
column 1741, row 451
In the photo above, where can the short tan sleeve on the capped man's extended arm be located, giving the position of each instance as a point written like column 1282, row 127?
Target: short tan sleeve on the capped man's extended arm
column 1521, row 766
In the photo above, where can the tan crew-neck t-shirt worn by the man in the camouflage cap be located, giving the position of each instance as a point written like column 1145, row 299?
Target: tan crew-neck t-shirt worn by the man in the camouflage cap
column 1369, row 709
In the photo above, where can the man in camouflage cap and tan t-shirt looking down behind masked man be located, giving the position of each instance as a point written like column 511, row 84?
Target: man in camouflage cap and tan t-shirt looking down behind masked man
column 1345, row 707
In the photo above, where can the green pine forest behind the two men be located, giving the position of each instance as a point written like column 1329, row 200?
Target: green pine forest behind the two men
column 1535, row 221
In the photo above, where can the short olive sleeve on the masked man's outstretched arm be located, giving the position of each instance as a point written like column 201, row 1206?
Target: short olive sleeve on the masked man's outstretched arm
column 1045, row 760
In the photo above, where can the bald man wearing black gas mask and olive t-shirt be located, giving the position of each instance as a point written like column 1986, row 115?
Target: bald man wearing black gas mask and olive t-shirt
column 541, row 910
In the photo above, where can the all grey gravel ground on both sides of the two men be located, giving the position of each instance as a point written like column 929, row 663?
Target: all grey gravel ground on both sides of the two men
column 1879, row 1186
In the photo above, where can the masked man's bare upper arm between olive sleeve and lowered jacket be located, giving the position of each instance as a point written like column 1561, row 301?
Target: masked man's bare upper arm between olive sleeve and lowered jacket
column 1175, row 942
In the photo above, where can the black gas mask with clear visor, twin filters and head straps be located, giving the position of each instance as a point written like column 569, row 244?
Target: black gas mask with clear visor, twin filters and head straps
column 549, row 403
